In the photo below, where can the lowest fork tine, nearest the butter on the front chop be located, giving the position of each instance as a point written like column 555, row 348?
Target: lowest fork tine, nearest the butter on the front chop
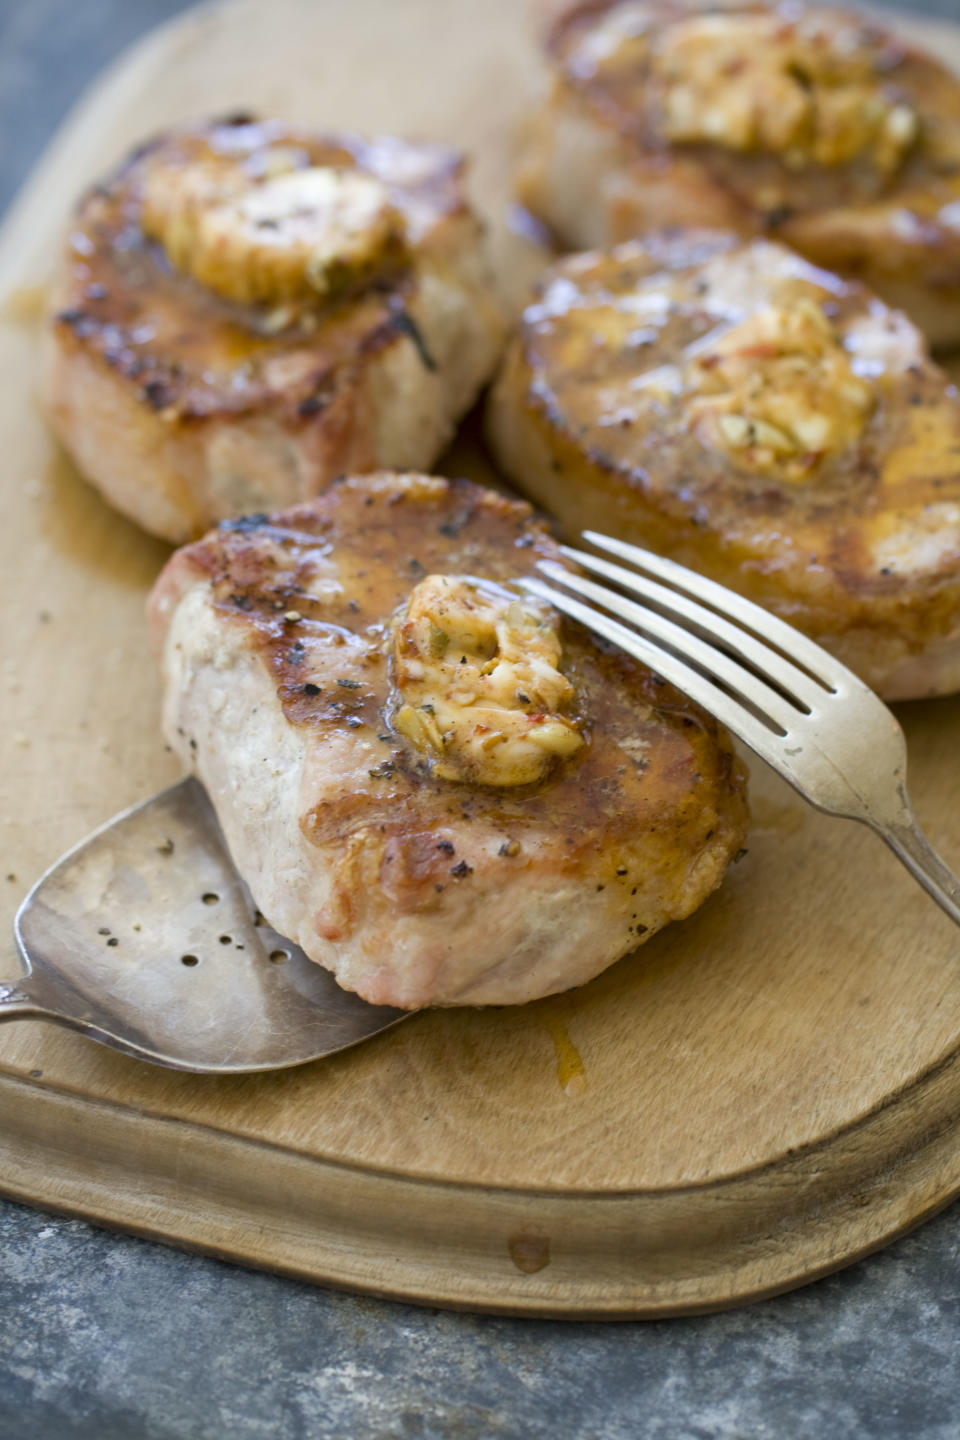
column 699, row 688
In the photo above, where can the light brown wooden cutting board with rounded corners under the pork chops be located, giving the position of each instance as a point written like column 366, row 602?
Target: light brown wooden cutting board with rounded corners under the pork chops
column 756, row 1098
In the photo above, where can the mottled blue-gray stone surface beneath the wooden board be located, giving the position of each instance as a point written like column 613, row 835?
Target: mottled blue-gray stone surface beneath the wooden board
column 112, row 1338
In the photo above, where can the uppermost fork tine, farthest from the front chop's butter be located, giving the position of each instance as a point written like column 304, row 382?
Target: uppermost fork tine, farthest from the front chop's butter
column 818, row 662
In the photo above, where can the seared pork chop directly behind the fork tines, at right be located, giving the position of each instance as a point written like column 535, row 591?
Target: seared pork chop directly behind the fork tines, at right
column 761, row 421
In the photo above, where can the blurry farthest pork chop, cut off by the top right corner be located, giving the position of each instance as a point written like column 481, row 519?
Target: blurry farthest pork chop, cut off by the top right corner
column 807, row 123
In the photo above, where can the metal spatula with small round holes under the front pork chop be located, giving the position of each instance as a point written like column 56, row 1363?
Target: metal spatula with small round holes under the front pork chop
column 146, row 940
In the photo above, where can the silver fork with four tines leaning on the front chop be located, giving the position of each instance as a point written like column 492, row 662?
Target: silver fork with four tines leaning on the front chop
column 795, row 705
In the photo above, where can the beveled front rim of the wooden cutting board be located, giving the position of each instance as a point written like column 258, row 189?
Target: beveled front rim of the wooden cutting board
column 543, row 1256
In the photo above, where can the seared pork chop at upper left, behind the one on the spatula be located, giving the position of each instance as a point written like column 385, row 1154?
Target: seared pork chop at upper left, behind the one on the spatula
column 248, row 310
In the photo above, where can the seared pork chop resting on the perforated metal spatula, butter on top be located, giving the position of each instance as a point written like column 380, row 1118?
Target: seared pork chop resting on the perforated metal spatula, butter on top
column 444, row 793
